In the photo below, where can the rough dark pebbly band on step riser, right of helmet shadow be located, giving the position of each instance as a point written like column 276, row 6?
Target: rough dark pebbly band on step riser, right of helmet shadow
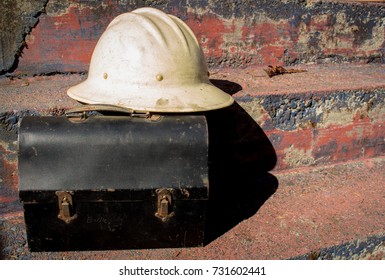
column 293, row 112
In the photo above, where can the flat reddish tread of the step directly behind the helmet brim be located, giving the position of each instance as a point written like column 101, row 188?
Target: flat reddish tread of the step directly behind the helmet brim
column 45, row 92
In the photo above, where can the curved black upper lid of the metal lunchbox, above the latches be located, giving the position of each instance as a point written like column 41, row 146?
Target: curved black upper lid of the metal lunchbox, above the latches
column 119, row 157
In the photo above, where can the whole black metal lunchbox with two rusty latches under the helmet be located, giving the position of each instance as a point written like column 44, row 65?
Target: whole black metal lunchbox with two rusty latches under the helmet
column 113, row 181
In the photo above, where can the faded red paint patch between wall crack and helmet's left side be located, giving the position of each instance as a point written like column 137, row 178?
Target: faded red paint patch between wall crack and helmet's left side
column 64, row 42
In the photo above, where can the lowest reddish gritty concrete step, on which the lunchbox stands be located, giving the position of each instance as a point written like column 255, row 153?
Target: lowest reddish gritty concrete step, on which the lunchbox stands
column 333, row 212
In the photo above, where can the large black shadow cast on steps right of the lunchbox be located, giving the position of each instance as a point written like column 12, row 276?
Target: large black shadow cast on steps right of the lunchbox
column 240, row 158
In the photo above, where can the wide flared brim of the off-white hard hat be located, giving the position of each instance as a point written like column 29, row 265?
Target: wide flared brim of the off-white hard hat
column 190, row 98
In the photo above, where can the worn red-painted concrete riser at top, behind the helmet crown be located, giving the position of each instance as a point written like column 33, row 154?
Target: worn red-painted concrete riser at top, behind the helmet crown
column 231, row 33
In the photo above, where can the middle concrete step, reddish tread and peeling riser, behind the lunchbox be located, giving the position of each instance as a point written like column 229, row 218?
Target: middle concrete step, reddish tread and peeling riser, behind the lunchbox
column 329, row 114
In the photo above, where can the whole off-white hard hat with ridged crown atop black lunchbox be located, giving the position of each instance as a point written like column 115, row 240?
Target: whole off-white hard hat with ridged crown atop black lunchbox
column 147, row 60
